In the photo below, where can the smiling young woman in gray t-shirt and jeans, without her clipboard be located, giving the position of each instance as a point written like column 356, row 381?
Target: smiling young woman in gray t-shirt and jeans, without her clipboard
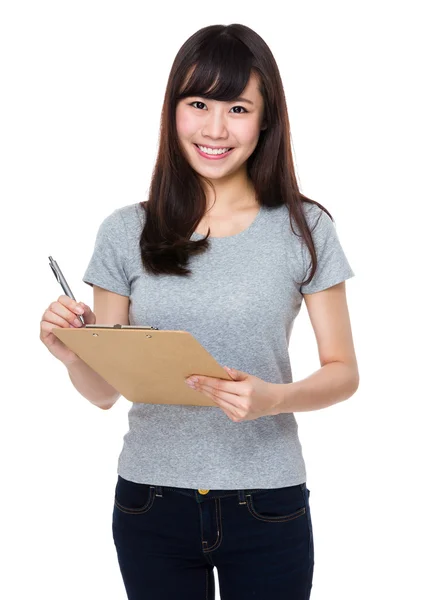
column 226, row 247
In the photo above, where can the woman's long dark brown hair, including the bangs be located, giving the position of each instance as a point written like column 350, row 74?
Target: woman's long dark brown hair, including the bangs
column 219, row 60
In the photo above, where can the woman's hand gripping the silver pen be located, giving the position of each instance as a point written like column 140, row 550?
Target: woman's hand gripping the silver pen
column 62, row 313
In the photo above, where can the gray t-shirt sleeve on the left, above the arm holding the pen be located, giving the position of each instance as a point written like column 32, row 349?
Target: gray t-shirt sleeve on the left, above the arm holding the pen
column 107, row 267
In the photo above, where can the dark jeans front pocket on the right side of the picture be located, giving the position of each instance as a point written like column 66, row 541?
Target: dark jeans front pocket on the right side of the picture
column 279, row 504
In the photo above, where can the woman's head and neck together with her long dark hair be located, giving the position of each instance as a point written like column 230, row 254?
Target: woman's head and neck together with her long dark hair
column 224, row 147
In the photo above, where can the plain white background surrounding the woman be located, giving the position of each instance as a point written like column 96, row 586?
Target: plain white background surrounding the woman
column 82, row 86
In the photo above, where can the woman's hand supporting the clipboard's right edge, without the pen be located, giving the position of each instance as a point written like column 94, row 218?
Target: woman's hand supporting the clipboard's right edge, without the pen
column 244, row 399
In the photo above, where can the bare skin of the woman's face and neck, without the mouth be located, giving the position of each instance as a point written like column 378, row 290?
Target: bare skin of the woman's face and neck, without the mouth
column 223, row 124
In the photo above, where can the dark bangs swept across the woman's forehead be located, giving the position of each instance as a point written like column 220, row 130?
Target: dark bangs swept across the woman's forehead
column 220, row 72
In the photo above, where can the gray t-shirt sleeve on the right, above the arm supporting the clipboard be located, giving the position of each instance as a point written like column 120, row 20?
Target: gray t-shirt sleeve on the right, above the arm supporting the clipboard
column 333, row 266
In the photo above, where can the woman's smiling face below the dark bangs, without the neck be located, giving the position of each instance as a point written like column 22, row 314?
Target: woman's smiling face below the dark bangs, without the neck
column 212, row 124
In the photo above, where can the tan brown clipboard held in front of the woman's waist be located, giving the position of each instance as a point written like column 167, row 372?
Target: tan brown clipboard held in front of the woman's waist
column 145, row 364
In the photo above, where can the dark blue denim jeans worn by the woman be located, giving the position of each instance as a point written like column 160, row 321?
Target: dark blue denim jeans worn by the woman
column 168, row 541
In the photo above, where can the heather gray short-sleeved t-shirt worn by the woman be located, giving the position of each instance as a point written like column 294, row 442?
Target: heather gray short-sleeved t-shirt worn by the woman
column 240, row 304
